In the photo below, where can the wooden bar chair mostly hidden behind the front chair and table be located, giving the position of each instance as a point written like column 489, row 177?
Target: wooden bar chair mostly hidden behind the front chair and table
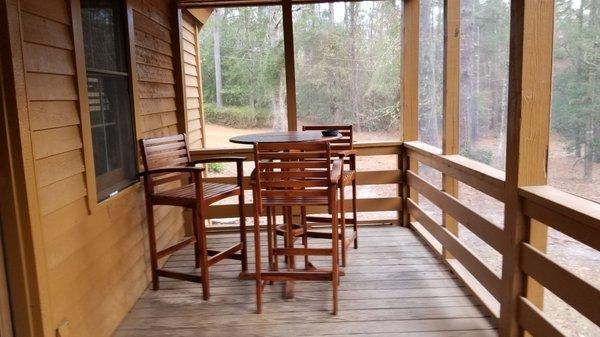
column 342, row 148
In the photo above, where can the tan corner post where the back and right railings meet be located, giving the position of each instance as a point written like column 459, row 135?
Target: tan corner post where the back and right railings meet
column 410, row 94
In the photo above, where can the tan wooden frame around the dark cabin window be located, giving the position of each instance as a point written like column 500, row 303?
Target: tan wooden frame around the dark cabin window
column 93, row 200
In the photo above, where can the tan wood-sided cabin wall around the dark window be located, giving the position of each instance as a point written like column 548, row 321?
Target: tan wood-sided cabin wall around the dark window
column 96, row 255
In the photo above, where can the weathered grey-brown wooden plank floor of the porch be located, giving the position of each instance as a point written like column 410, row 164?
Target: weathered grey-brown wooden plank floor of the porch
column 394, row 286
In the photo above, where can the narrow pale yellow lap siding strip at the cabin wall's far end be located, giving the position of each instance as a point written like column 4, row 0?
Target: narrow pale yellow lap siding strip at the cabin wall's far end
column 193, row 81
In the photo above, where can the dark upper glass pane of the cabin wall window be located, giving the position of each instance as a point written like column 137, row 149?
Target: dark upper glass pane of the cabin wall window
column 103, row 34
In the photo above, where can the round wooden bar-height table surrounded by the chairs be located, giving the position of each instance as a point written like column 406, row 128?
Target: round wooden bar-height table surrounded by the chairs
column 283, row 137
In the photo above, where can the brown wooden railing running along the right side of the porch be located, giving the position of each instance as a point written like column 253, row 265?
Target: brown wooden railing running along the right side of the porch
column 569, row 214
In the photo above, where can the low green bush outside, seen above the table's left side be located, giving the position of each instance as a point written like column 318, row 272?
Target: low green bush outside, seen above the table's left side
column 241, row 117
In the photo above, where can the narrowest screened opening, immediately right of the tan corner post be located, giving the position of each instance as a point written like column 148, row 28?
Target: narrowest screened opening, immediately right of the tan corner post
column 431, row 76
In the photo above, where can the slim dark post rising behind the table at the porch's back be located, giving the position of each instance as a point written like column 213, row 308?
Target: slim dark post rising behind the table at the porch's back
column 290, row 72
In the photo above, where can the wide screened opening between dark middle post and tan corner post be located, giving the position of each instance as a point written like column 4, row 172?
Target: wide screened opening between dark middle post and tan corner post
column 348, row 66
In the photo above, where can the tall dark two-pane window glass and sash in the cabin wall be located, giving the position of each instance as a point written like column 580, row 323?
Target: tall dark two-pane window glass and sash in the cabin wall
column 109, row 95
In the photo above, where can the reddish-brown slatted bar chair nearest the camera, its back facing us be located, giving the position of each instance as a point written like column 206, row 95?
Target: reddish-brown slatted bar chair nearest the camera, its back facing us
column 287, row 175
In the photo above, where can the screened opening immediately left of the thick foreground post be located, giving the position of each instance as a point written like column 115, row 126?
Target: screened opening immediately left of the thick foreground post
column 484, row 46
